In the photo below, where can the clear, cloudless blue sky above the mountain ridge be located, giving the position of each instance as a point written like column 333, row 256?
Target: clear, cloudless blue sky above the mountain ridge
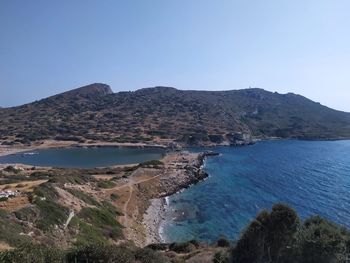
column 300, row 46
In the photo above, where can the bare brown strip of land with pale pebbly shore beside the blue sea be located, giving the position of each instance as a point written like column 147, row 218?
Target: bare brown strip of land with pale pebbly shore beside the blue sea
column 142, row 196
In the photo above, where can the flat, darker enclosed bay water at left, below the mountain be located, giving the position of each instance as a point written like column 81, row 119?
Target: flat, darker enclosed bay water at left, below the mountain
column 84, row 157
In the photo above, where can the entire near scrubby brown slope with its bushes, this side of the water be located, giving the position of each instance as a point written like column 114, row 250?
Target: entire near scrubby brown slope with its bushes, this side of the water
column 96, row 215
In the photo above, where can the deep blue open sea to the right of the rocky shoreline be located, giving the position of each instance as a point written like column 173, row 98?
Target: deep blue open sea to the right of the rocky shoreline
column 313, row 177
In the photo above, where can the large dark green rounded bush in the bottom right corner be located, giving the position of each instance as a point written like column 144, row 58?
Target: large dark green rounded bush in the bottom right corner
column 279, row 236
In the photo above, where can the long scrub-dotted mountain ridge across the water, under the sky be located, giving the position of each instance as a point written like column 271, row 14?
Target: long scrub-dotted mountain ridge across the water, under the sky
column 165, row 114
